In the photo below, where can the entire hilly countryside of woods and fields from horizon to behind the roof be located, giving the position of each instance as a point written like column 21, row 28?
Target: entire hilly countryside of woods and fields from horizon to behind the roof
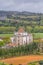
column 32, row 22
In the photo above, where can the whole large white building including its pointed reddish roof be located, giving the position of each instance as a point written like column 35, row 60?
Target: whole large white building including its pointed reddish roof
column 21, row 37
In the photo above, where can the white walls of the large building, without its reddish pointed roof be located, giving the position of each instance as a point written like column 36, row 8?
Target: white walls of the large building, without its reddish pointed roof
column 27, row 38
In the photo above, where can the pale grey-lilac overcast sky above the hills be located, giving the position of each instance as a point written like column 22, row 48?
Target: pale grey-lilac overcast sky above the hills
column 22, row 5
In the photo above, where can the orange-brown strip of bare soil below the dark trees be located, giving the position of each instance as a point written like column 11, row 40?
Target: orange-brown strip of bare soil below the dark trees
column 23, row 59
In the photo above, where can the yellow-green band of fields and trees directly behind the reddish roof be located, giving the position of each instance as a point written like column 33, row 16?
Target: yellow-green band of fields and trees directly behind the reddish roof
column 11, row 30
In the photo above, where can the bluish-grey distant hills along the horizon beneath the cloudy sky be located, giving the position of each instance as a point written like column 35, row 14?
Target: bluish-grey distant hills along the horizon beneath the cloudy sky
column 6, row 13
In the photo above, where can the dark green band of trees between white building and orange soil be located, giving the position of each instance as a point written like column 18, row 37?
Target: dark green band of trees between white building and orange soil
column 31, row 48
